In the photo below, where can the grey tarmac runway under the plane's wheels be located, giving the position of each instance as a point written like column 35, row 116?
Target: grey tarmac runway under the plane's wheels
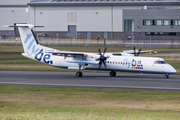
column 91, row 80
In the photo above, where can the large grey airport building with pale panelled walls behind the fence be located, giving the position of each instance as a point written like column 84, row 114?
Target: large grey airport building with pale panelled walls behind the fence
column 140, row 19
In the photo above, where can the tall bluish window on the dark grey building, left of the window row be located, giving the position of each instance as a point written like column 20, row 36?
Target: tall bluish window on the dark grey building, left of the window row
column 128, row 25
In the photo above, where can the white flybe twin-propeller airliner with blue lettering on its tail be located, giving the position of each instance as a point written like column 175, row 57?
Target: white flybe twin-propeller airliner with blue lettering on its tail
column 90, row 61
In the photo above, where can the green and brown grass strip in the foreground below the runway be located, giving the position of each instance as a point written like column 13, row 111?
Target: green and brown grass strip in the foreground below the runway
column 26, row 102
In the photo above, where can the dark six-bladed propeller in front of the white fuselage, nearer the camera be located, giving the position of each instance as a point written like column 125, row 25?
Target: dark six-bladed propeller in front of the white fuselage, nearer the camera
column 102, row 58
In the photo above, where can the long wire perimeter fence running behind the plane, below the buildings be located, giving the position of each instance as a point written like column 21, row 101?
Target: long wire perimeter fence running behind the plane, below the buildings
column 101, row 42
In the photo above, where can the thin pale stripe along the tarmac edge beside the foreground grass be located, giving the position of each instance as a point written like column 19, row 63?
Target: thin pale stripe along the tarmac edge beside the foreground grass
column 80, row 85
